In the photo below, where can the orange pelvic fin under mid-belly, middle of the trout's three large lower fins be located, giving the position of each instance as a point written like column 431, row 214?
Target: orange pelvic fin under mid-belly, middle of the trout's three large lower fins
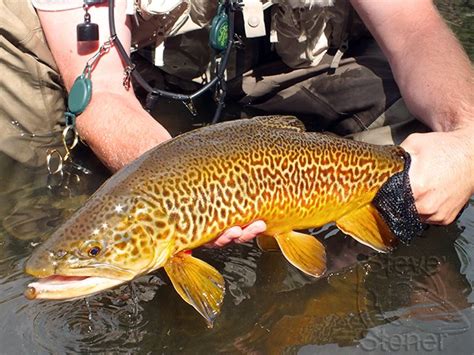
column 304, row 252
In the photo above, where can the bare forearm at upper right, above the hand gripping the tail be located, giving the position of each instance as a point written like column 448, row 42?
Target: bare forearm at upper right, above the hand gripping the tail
column 432, row 71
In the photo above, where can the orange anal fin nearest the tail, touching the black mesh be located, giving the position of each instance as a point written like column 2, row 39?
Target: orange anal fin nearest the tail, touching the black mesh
column 367, row 226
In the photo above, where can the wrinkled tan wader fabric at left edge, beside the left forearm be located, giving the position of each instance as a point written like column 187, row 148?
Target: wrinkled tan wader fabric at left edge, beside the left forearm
column 32, row 98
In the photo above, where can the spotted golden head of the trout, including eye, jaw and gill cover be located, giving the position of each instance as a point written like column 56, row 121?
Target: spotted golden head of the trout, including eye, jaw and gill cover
column 109, row 241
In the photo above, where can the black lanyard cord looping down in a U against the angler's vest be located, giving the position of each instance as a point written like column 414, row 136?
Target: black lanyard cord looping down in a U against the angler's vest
column 154, row 93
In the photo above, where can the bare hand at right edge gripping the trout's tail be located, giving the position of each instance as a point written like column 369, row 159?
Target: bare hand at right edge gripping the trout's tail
column 441, row 173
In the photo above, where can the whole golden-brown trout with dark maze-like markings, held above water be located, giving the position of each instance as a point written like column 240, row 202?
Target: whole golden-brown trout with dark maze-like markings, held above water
column 187, row 191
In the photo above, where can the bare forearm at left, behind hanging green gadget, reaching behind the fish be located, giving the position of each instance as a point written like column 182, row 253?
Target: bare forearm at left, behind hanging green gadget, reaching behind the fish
column 114, row 124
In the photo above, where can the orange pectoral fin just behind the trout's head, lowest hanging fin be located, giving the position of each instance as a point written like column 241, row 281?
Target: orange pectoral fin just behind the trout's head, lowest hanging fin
column 198, row 283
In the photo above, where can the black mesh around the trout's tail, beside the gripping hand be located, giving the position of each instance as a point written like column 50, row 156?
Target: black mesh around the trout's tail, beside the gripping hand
column 396, row 205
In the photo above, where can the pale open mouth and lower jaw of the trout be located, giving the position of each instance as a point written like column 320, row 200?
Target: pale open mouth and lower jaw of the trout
column 60, row 287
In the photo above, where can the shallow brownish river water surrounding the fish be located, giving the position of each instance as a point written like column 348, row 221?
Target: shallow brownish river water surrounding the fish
column 419, row 298
